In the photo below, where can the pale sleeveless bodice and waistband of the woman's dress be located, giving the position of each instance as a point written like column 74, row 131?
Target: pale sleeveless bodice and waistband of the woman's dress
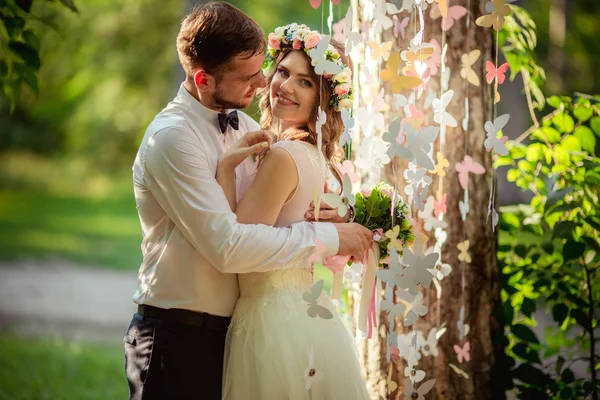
column 312, row 172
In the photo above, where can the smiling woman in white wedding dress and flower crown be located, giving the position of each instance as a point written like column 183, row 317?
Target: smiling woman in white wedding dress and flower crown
column 286, row 339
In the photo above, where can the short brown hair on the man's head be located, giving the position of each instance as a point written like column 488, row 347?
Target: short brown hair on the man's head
column 212, row 34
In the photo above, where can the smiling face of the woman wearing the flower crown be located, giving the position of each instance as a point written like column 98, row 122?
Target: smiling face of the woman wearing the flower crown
column 293, row 92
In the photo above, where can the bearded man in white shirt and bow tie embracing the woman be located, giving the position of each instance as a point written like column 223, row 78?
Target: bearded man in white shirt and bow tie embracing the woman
column 192, row 245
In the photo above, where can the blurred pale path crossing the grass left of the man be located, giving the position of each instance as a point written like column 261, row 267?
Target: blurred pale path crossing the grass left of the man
column 71, row 301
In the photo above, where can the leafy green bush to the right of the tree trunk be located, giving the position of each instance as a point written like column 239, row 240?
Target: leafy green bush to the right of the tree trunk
column 550, row 250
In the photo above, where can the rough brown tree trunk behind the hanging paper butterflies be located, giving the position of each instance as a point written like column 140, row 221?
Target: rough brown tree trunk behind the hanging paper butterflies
column 482, row 277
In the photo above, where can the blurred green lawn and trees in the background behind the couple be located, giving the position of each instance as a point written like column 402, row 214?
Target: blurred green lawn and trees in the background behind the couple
column 66, row 151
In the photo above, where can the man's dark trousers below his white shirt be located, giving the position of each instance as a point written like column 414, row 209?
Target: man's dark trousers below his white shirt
column 172, row 360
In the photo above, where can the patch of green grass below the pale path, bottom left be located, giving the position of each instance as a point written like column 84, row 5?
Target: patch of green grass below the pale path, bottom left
column 42, row 369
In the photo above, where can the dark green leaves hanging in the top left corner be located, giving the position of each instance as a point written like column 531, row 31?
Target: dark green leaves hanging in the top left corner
column 19, row 48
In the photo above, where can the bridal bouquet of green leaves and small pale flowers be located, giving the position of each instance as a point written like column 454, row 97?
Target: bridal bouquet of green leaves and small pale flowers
column 374, row 211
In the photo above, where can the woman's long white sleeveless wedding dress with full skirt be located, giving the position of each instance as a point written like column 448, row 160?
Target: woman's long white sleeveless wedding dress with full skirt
column 271, row 336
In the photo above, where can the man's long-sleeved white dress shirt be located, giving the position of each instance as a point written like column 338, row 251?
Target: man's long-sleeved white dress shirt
column 192, row 244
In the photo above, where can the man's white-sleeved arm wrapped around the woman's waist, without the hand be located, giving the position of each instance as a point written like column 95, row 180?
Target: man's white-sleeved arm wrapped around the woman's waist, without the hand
column 182, row 181
